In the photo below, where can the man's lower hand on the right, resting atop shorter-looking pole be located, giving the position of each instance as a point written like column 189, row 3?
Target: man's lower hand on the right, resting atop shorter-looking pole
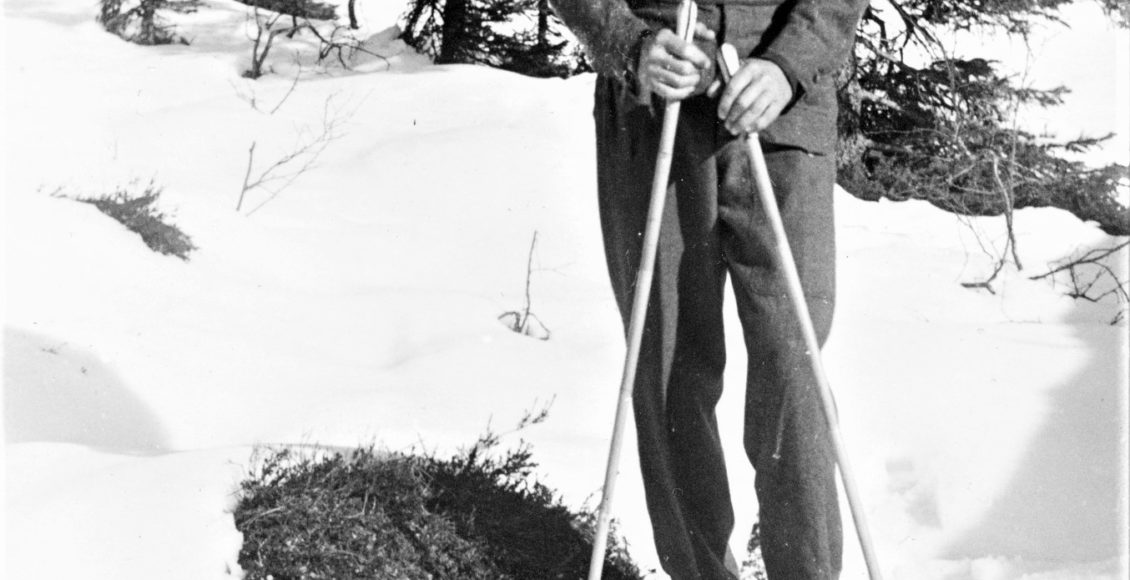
column 754, row 98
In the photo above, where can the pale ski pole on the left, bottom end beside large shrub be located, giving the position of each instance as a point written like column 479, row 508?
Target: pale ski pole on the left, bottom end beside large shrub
column 685, row 28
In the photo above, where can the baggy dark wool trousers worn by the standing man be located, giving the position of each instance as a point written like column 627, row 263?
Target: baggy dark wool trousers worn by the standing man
column 714, row 228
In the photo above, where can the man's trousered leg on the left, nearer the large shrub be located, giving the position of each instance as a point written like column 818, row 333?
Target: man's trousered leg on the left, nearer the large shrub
column 680, row 378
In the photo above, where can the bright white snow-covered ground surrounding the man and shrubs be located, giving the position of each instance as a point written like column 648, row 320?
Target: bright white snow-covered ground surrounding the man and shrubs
column 361, row 306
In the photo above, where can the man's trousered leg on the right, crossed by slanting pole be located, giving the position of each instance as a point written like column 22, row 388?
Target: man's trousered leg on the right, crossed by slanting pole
column 787, row 436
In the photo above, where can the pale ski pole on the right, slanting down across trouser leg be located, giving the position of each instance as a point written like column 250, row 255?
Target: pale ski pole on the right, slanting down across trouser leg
column 728, row 58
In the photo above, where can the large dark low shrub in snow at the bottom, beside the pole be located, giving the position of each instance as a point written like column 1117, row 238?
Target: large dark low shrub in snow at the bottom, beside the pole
column 474, row 516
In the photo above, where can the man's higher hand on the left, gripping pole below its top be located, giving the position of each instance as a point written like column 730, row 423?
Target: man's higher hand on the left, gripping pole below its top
column 672, row 68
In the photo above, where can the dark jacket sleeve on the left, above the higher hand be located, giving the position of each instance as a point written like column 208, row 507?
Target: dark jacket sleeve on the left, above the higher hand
column 609, row 31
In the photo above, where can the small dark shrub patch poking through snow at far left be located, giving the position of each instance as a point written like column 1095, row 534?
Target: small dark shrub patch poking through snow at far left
column 140, row 214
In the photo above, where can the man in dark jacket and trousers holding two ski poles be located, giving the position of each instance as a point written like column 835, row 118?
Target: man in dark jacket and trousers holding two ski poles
column 714, row 228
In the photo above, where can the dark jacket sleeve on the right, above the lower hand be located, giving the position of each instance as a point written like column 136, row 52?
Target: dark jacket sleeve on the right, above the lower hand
column 815, row 40
